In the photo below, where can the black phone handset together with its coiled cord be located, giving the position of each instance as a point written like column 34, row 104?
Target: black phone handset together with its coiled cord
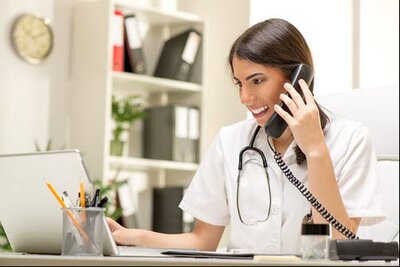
column 275, row 126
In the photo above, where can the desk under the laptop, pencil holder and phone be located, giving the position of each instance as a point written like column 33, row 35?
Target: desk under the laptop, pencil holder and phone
column 11, row 259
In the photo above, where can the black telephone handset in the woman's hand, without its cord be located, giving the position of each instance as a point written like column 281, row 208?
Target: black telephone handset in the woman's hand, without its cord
column 276, row 125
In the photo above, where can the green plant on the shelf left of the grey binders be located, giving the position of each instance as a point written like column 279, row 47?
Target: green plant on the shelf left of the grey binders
column 125, row 111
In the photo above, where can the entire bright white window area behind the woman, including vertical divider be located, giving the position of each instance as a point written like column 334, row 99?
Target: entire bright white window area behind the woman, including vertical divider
column 331, row 30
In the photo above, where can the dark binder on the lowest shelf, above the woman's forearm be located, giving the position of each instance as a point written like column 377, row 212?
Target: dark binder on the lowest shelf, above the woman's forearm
column 167, row 216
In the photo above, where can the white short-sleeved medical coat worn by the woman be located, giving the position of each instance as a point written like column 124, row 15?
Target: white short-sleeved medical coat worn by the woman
column 211, row 196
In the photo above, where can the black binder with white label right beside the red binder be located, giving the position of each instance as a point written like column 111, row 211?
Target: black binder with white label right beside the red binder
column 134, row 46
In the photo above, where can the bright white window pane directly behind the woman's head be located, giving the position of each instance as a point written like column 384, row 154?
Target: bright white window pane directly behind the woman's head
column 326, row 25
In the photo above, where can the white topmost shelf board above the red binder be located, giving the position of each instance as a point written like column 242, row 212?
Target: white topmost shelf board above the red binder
column 156, row 16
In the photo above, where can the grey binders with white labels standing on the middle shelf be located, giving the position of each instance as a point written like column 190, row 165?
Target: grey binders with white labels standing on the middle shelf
column 172, row 133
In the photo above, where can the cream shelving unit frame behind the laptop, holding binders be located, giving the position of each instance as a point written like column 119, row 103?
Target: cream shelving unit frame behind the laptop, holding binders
column 94, row 82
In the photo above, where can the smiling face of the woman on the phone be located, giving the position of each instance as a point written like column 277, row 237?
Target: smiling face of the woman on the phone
column 259, row 87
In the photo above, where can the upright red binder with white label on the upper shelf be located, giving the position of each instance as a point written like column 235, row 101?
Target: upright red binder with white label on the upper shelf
column 118, row 41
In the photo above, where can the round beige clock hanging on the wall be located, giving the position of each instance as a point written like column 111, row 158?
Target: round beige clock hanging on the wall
column 32, row 38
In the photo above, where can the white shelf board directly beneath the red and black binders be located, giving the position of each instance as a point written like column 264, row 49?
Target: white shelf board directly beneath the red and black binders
column 123, row 81
